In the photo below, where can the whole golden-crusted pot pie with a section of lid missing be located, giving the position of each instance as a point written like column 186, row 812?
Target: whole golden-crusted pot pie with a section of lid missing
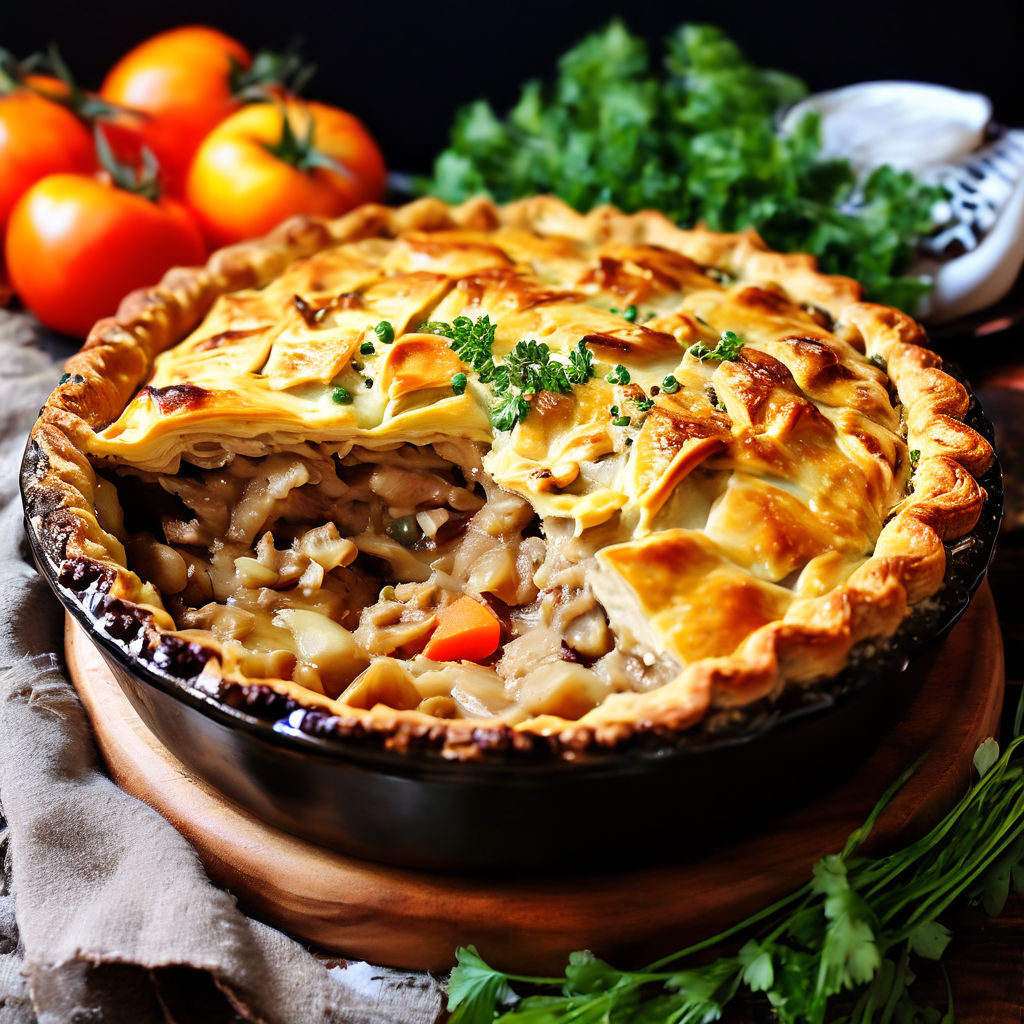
column 675, row 475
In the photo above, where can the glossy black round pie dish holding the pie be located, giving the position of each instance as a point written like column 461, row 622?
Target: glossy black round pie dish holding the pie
column 528, row 810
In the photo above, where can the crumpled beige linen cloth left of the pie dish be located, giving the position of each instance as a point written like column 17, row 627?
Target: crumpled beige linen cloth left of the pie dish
column 107, row 915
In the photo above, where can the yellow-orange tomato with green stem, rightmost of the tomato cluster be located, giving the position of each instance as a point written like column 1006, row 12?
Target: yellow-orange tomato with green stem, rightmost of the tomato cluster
column 251, row 173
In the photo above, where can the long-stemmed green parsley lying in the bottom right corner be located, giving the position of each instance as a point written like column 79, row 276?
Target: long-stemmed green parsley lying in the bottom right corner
column 841, row 949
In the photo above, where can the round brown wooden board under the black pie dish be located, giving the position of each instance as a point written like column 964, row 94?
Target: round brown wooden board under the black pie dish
column 416, row 920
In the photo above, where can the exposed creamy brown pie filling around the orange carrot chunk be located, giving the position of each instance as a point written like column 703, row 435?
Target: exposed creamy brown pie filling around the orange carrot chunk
column 330, row 567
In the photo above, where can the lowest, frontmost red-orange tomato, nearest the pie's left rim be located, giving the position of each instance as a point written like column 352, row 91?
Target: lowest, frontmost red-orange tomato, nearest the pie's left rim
column 77, row 245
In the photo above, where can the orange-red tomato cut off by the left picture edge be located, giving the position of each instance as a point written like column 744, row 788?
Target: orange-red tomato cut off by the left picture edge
column 37, row 139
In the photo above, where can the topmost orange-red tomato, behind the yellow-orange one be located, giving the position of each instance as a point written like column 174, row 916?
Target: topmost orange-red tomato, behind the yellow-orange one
column 182, row 79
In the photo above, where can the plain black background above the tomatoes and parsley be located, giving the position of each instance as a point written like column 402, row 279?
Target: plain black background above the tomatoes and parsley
column 406, row 67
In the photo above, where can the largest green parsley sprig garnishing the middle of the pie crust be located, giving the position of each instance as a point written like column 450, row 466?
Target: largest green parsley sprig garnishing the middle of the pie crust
column 529, row 369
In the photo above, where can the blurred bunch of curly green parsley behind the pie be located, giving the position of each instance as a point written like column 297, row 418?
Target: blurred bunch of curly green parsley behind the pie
column 696, row 139
